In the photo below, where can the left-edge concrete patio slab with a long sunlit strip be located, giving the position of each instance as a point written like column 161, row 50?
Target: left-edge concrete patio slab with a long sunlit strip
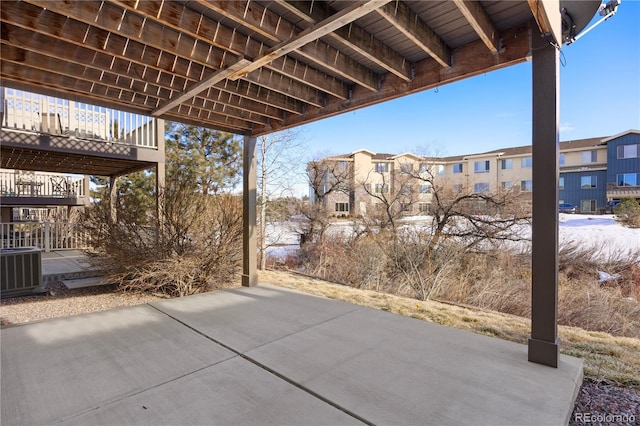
column 55, row 369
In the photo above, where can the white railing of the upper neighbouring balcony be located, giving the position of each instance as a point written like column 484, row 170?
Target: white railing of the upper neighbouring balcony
column 46, row 114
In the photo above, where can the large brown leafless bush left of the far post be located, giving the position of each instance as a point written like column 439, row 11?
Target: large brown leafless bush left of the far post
column 196, row 247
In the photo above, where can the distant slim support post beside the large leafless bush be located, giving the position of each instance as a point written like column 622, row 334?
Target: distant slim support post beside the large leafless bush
column 249, row 242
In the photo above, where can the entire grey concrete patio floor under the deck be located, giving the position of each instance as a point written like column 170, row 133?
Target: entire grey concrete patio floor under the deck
column 266, row 355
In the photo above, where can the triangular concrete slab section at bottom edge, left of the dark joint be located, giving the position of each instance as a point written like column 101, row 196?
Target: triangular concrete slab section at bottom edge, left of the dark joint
column 234, row 392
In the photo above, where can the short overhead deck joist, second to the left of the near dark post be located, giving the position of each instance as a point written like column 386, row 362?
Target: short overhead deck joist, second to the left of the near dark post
column 408, row 23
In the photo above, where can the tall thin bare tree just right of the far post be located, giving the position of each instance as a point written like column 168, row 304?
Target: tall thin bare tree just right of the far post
column 278, row 163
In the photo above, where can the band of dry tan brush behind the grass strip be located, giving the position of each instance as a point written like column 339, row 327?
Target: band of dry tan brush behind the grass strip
column 496, row 279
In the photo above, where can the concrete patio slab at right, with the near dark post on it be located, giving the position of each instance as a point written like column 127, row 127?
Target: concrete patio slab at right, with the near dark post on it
column 401, row 371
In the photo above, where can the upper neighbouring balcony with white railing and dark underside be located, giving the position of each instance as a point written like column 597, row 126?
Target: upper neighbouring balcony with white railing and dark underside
column 40, row 132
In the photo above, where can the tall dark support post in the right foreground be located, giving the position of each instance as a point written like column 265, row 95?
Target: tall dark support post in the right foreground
column 544, row 343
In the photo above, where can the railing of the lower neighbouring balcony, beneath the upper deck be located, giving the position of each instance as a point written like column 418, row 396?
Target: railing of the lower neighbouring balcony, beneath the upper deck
column 17, row 183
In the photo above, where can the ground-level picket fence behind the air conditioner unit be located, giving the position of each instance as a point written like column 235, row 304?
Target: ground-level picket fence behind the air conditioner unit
column 46, row 236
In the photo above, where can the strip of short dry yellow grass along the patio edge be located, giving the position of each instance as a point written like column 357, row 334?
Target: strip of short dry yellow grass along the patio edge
column 607, row 358
